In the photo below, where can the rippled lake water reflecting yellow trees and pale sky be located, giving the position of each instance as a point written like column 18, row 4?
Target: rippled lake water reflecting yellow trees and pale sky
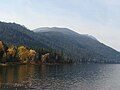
column 61, row 77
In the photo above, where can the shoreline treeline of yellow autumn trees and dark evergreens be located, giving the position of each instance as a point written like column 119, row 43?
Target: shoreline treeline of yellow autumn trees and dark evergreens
column 23, row 55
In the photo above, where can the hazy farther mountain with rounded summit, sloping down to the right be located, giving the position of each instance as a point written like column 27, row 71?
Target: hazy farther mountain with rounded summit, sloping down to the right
column 77, row 43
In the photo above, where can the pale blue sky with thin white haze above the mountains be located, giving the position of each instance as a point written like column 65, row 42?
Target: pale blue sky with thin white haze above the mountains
column 100, row 18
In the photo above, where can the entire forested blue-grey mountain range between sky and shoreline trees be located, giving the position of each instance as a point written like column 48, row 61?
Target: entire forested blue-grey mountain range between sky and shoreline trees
column 78, row 47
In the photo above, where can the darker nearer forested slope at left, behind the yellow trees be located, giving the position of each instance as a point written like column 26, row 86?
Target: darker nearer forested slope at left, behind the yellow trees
column 16, row 34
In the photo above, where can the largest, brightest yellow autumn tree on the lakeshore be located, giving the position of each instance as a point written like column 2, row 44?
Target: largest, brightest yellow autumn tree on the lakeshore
column 23, row 53
